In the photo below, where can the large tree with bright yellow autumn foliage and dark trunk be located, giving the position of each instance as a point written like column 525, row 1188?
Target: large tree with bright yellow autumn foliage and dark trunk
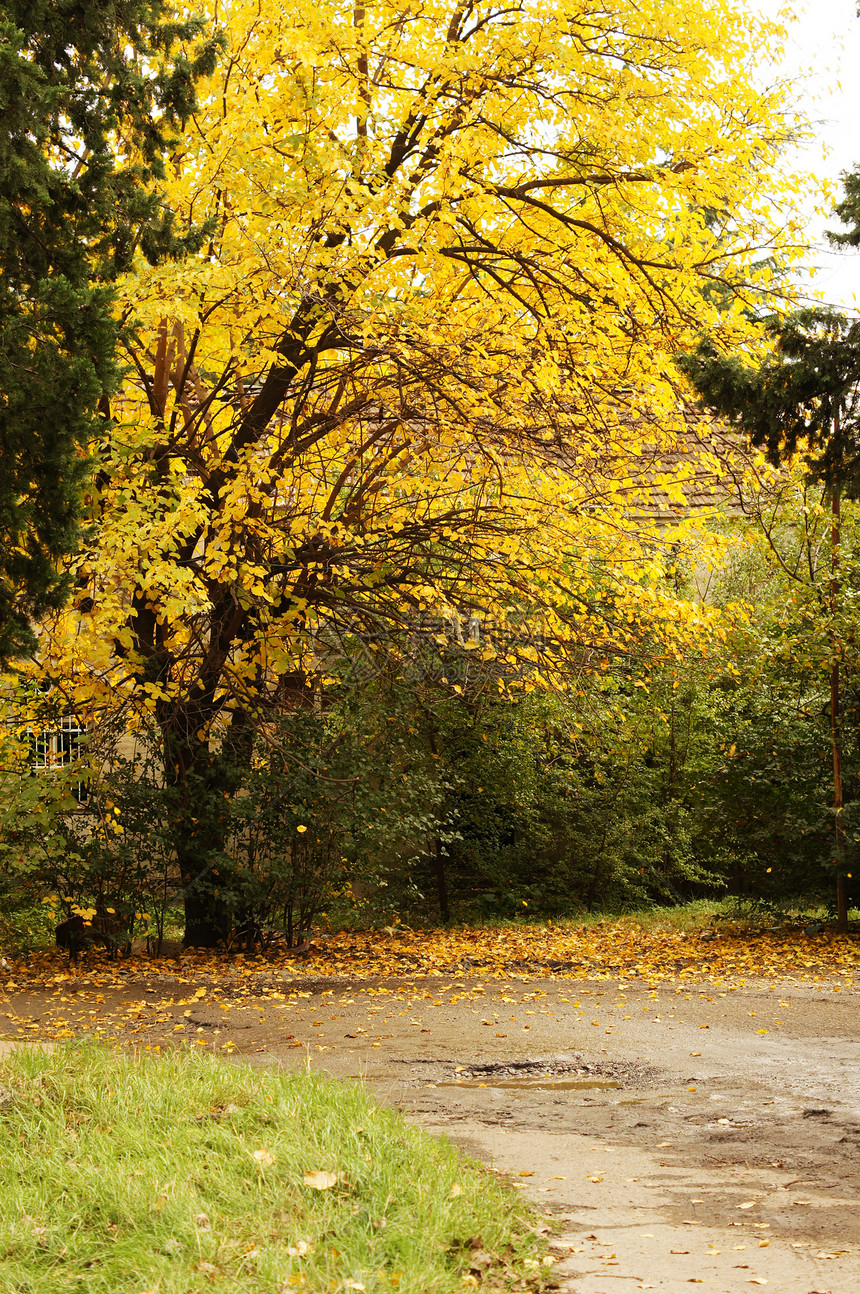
column 421, row 377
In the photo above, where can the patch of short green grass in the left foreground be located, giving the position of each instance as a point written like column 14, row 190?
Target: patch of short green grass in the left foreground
column 184, row 1173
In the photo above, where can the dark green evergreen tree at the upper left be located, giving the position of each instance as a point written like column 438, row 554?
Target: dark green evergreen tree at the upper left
column 91, row 93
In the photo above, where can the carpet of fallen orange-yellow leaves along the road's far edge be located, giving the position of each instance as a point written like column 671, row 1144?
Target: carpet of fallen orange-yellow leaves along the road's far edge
column 627, row 948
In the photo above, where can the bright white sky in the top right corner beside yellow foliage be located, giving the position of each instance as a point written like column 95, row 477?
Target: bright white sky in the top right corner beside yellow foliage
column 824, row 43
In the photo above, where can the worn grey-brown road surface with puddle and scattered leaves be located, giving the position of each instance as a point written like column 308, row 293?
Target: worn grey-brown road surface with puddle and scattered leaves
column 673, row 1135
